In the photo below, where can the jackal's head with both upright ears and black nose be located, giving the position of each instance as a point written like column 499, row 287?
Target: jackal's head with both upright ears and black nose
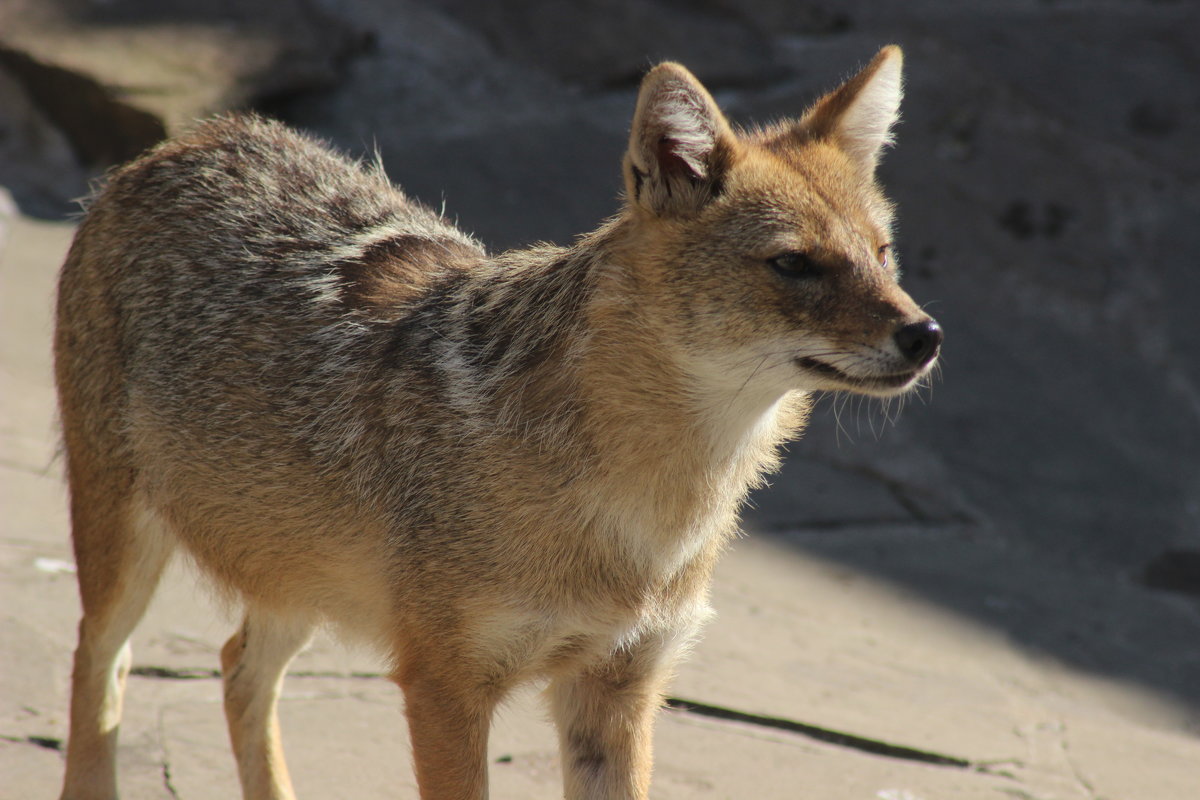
column 770, row 252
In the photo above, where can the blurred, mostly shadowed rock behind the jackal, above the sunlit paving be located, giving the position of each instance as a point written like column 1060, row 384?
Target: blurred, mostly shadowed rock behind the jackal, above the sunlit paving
column 1048, row 178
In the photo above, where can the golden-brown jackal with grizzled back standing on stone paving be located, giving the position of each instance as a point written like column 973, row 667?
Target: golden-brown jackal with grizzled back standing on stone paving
column 495, row 468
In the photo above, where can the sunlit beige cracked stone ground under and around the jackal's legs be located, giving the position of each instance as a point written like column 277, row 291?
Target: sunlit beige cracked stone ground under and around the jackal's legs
column 812, row 669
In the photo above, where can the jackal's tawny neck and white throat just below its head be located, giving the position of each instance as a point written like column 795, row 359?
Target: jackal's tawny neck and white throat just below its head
column 667, row 429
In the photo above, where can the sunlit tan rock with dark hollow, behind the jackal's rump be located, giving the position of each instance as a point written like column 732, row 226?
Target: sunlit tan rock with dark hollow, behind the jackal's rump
column 109, row 80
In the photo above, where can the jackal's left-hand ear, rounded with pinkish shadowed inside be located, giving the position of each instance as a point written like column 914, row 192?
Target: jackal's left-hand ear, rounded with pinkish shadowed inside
column 681, row 146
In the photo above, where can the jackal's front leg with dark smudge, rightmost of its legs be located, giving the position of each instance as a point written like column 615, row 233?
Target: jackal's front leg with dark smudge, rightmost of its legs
column 605, row 719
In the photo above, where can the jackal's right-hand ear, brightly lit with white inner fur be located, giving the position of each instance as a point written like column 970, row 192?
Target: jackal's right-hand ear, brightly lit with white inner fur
column 860, row 115
